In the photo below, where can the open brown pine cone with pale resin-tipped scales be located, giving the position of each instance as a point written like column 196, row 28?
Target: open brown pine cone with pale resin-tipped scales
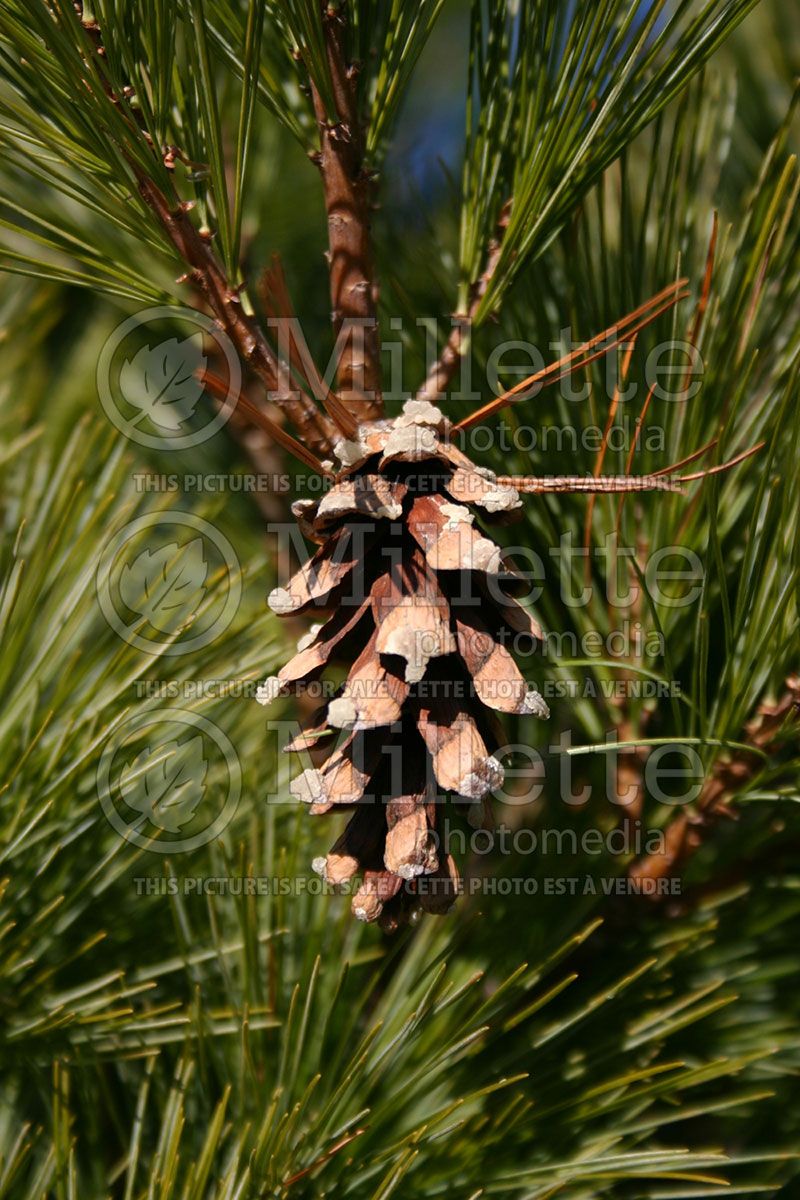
column 419, row 603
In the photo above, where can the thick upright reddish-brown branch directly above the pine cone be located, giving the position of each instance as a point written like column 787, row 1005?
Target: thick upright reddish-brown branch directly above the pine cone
column 348, row 202
